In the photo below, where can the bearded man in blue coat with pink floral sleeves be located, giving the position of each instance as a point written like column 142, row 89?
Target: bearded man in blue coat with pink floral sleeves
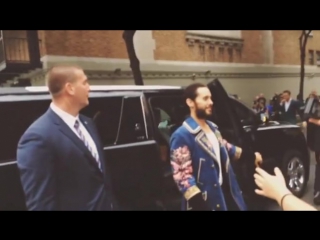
column 200, row 158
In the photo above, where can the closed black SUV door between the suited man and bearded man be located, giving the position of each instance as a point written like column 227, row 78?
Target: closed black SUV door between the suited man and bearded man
column 131, row 156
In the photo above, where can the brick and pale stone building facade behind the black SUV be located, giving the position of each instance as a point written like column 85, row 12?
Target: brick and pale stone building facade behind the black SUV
column 246, row 62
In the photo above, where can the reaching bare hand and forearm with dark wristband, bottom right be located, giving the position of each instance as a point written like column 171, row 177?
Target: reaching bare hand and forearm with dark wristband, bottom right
column 274, row 187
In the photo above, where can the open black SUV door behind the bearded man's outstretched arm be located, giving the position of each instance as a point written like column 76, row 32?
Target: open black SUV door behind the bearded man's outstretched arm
column 230, row 126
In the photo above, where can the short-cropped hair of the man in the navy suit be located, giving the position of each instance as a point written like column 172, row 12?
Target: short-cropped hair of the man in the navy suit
column 58, row 76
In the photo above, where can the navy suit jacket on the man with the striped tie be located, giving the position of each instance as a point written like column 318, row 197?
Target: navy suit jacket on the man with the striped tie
column 57, row 170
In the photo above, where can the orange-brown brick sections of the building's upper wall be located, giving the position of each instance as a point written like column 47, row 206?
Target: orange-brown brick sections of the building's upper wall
column 172, row 45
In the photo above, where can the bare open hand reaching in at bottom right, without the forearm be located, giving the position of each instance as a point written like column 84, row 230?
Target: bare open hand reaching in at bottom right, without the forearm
column 273, row 187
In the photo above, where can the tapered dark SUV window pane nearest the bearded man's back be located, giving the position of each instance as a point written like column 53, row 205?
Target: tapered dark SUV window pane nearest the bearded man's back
column 132, row 122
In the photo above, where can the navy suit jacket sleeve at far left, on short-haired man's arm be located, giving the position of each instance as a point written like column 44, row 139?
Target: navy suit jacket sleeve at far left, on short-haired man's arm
column 36, row 165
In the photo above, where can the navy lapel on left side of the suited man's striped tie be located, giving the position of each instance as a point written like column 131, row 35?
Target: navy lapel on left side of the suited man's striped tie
column 65, row 129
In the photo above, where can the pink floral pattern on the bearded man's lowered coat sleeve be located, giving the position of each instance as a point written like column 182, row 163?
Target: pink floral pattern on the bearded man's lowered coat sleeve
column 182, row 168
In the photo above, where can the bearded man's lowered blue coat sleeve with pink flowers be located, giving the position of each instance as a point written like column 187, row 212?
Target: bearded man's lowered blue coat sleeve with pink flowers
column 181, row 164
